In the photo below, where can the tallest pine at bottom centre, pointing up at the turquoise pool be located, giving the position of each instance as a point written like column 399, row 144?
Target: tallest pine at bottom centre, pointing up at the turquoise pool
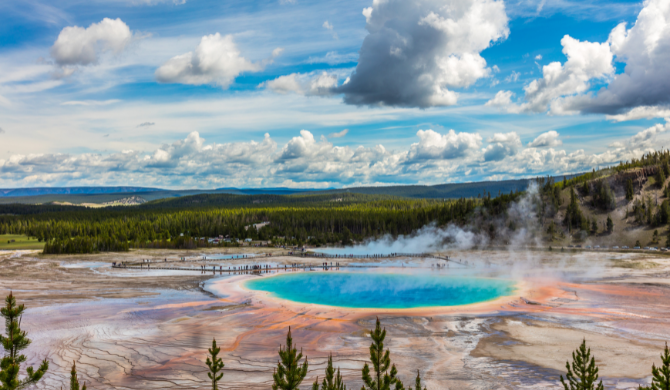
column 381, row 361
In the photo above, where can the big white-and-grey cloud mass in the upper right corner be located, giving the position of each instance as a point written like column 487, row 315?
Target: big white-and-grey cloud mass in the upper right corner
column 639, row 92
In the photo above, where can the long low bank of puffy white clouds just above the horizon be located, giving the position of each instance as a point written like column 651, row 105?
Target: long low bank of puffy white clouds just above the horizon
column 309, row 161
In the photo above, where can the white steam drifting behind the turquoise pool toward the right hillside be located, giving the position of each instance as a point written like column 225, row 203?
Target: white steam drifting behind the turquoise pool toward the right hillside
column 516, row 238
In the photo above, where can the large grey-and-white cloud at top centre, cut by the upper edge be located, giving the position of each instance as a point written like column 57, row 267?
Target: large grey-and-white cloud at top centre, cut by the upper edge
column 417, row 53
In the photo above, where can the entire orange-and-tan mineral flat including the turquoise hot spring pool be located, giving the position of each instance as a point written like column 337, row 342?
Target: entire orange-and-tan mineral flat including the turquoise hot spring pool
column 506, row 320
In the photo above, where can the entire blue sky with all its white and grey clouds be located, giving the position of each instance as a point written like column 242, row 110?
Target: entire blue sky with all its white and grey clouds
column 204, row 93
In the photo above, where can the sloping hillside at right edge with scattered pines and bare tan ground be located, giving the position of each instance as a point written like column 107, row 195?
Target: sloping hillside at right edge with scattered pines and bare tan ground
column 627, row 204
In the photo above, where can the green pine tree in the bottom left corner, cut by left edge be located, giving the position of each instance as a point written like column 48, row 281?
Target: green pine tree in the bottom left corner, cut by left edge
column 13, row 343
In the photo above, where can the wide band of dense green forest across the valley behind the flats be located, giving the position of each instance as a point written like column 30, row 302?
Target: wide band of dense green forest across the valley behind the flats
column 322, row 218
